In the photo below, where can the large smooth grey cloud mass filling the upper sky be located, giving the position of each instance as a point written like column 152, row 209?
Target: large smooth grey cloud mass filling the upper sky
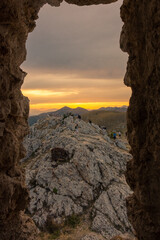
column 79, row 40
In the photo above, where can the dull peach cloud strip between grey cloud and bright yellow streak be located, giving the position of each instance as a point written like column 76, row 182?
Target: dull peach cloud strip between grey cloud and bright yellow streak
column 38, row 80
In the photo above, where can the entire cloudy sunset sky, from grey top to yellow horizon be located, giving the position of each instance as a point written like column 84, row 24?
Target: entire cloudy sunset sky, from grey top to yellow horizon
column 73, row 58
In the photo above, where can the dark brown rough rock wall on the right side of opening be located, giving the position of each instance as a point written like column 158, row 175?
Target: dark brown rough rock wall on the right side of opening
column 141, row 39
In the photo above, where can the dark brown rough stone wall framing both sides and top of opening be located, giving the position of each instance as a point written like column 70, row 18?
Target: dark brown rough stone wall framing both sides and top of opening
column 140, row 38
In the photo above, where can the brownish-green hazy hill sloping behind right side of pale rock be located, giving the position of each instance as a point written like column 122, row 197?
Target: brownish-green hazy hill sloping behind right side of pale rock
column 111, row 120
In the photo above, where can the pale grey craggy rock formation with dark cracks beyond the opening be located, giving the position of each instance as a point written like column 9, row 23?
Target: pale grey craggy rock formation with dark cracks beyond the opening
column 74, row 167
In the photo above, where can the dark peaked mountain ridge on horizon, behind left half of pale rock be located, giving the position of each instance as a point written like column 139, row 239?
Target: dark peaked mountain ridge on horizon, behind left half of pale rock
column 58, row 113
